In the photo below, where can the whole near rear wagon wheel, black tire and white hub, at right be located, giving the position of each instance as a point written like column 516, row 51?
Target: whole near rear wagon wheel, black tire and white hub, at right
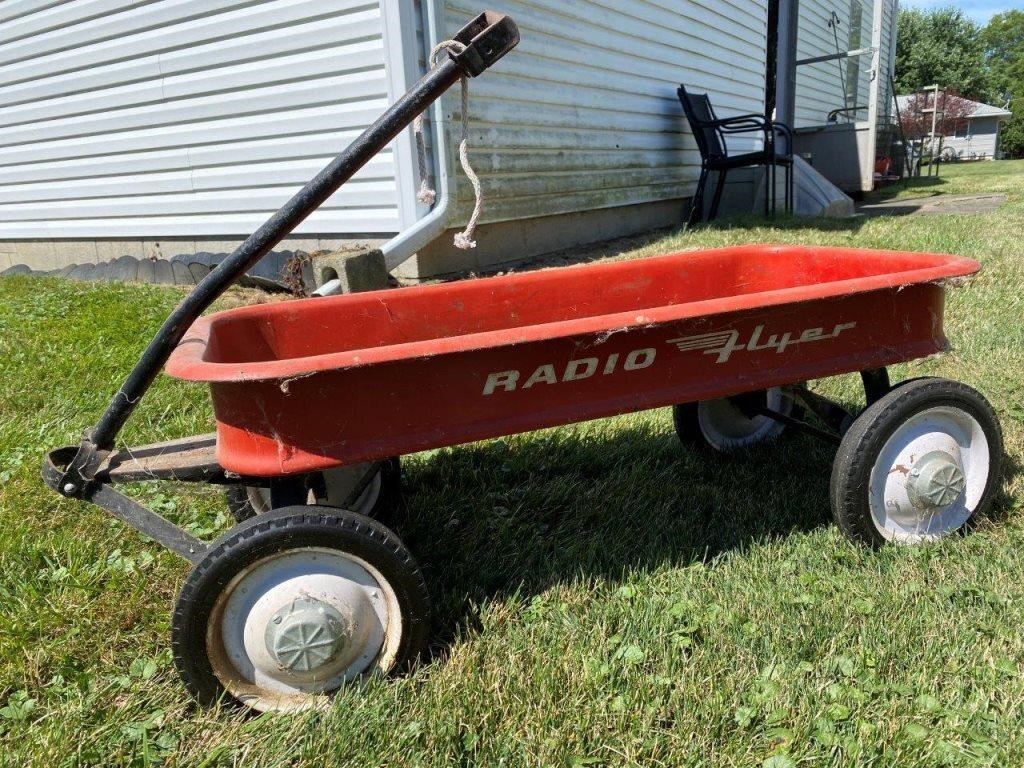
column 920, row 464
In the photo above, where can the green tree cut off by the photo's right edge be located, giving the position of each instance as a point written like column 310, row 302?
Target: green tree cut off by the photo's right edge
column 1003, row 40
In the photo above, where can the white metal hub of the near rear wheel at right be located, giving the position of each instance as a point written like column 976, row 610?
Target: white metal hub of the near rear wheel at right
column 930, row 477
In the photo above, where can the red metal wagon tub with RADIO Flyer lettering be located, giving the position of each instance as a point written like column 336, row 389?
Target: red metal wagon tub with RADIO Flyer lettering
column 312, row 385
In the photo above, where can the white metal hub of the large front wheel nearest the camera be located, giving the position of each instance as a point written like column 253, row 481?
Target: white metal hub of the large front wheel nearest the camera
column 302, row 624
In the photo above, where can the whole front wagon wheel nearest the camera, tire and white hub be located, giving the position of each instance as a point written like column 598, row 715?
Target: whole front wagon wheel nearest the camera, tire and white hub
column 289, row 607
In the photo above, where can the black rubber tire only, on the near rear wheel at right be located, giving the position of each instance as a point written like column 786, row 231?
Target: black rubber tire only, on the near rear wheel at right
column 848, row 489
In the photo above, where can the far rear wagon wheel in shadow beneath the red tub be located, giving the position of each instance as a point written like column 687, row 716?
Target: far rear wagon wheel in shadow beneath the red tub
column 730, row 424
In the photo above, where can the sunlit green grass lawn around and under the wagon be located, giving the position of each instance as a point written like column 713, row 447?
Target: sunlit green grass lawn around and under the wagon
column 604, row 596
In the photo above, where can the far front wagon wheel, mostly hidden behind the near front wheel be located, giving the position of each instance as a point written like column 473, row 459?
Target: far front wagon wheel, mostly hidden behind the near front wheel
column 380, row 500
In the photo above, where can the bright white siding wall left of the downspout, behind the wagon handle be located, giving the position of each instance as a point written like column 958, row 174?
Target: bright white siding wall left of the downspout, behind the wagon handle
column 186, row 117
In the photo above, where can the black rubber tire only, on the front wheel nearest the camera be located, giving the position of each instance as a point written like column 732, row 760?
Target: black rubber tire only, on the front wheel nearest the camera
column 276, row 532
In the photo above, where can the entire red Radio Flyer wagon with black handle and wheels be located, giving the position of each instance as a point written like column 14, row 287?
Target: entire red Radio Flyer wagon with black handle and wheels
column 309, row 594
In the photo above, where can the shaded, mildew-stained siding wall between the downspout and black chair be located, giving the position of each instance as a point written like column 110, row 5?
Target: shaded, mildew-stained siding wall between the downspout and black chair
column 584, row 114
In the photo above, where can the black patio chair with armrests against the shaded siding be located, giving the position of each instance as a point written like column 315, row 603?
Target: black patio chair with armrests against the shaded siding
column 711, row 134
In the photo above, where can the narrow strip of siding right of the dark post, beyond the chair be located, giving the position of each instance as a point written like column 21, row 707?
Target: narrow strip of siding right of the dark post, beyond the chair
column 821, row 87
